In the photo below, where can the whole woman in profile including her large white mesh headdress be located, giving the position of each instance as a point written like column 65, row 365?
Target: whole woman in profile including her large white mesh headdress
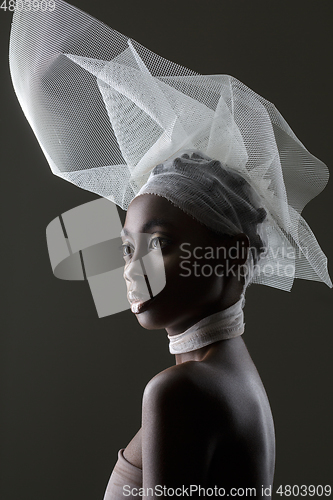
column 118, row 120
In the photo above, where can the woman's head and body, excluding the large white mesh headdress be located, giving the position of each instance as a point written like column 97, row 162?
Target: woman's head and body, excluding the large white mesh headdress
column 206, row 422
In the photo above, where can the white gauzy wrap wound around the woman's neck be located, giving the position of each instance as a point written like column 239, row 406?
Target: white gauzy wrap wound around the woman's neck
column 224, row 324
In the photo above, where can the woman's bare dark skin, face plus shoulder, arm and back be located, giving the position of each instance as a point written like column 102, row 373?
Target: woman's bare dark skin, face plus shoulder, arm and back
column 205, row 421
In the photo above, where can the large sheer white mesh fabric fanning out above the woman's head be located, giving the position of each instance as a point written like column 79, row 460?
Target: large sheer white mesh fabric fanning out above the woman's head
column 106, row 110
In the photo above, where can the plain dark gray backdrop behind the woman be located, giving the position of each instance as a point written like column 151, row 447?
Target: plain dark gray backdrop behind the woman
column 72, row 383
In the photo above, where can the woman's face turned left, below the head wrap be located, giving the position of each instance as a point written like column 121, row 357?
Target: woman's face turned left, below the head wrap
column 193, row 265
